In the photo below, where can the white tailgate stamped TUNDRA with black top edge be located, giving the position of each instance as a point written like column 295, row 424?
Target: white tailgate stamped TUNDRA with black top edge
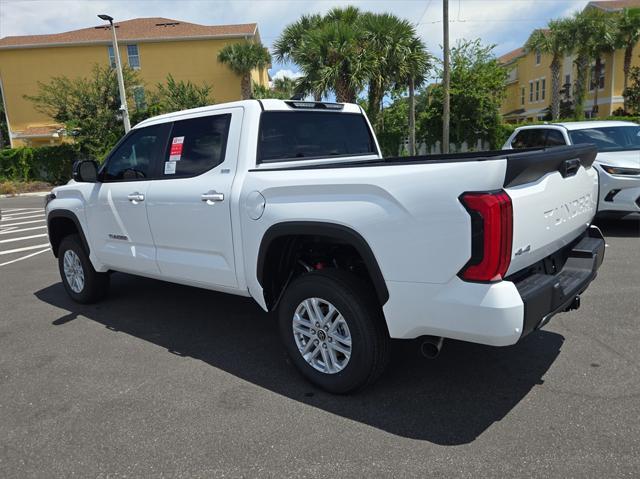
column 554, row 196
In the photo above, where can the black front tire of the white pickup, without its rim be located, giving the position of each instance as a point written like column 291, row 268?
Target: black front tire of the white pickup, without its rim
column 96, row 285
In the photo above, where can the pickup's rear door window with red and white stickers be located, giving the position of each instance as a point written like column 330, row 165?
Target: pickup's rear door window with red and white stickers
column 196, row 145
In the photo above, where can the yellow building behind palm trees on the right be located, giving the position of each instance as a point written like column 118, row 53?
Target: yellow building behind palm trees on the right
column 528, row 89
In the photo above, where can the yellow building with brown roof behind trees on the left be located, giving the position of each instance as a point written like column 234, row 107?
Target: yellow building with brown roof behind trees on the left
column 155, row 47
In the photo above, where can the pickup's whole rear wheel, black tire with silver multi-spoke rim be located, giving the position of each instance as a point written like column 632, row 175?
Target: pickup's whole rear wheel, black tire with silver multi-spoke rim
column 333, row 330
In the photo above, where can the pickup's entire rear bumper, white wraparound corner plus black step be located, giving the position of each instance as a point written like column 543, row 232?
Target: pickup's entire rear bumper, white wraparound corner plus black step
column 495, row 314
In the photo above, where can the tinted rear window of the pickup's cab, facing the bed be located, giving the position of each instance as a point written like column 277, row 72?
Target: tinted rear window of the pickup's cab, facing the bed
column 303, row 135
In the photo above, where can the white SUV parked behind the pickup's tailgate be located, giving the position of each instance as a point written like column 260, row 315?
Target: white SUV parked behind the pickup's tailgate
column 617, row 163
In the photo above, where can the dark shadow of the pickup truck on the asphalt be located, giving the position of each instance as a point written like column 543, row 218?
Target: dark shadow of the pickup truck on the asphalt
column 447, row 401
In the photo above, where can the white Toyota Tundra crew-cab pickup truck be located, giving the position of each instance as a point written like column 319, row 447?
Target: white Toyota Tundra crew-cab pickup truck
column 292, row 204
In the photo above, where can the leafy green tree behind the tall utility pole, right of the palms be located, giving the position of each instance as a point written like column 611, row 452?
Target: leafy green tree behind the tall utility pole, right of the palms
column 477, row 90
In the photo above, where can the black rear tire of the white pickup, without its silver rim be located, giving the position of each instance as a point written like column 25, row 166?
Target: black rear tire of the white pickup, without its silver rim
column 361, row 311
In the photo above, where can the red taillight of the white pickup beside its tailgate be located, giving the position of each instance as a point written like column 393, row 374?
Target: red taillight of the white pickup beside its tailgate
column 491, row 235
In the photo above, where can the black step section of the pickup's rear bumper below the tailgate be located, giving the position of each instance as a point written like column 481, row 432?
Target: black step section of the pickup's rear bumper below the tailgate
column 545, row 295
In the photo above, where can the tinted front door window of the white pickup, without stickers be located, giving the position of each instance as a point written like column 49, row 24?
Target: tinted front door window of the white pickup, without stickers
column 134, row 158
